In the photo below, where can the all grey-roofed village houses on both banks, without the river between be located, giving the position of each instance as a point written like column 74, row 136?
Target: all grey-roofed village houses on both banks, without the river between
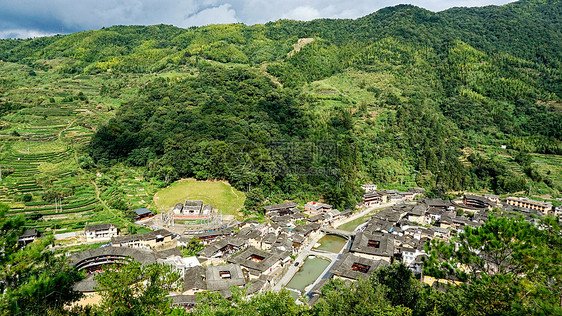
column 255, row 255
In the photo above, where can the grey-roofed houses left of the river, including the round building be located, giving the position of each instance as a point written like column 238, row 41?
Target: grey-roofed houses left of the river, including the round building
column 250, row 254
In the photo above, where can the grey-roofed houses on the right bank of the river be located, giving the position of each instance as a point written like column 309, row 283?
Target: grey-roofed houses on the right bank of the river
column 399, row 234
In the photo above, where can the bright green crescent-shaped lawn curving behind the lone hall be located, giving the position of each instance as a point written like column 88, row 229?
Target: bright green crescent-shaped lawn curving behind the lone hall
column 220, row 195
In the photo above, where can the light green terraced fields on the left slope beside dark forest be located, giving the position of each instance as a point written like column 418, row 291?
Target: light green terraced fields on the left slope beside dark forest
column 40, row 146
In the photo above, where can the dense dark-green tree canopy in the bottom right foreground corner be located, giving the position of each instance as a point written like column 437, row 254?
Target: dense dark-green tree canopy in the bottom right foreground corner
column 509, row 266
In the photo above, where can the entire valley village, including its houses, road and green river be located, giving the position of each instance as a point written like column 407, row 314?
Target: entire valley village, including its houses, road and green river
column 298, row 248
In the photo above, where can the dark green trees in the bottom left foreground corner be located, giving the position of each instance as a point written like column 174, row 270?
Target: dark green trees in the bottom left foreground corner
column 33, row 281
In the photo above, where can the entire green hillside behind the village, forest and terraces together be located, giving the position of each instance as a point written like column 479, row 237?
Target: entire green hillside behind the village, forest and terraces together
column 401, row 97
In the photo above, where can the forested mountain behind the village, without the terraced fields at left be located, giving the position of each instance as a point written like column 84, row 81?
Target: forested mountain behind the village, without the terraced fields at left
column 403, row 94
